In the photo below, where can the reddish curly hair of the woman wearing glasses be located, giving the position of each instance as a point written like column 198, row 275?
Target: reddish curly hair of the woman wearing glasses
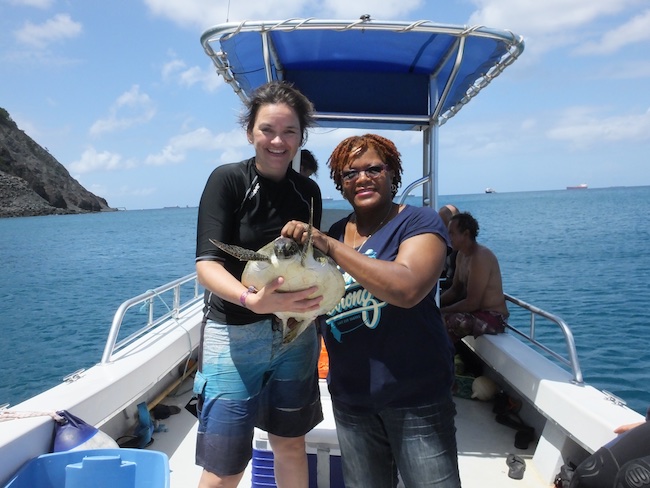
column 353, row 147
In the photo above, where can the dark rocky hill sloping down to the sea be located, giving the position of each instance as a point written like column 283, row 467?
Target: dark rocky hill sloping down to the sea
column 33, row 182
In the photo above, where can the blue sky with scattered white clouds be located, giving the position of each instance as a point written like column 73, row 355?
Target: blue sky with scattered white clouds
column 121, row 93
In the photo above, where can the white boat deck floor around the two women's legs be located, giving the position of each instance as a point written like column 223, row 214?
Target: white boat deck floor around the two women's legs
column 483, row 446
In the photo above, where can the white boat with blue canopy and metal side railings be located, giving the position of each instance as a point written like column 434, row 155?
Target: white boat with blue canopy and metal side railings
column 371, row 75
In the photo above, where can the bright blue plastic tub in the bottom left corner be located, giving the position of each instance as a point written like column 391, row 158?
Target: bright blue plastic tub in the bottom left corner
column 96, row 468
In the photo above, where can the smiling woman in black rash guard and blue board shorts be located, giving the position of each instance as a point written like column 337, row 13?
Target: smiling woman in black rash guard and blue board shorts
column 247, row 376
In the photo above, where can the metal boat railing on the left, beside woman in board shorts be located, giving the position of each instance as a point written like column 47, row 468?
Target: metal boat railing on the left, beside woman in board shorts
column 177, row 290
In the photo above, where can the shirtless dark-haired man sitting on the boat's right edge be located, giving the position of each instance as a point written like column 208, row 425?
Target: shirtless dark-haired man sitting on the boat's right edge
column 475, row 303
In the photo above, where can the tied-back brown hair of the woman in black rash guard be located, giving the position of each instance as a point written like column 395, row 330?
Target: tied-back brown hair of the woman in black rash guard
column 276, row 92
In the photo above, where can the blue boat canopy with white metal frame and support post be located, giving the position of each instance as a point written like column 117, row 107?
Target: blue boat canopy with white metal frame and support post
column 365, row 73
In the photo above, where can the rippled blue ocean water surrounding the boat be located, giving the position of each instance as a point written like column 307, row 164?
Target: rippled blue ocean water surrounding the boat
column 582, row 255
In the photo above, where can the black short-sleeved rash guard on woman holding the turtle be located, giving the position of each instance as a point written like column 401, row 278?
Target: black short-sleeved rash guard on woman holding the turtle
column 240, row 206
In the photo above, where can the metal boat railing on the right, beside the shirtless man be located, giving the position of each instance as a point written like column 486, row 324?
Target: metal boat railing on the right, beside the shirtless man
column 571, row 358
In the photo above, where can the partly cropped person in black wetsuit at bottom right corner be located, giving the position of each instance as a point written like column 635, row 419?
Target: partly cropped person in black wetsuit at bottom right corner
column 622, row 463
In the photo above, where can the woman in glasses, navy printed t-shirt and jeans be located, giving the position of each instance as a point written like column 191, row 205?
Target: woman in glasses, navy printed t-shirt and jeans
column 391, row 363
